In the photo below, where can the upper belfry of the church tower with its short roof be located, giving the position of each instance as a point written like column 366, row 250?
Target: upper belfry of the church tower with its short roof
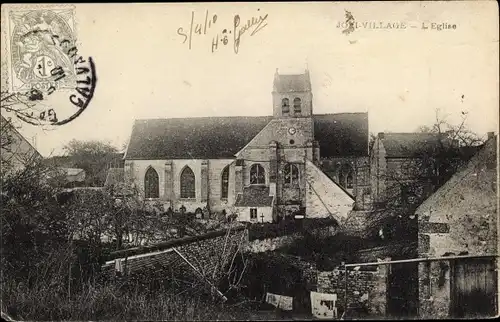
column 292, row 95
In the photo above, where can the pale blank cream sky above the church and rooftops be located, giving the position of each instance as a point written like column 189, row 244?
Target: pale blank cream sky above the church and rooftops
column 399, row 76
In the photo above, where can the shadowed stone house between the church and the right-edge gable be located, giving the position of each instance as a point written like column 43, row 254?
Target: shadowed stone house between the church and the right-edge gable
column 406, row 168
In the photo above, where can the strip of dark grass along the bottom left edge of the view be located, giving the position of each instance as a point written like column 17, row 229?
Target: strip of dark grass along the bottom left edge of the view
column 108, row 302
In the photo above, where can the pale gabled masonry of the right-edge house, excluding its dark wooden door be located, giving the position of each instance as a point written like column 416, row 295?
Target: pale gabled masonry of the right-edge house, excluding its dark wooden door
column 459, row 219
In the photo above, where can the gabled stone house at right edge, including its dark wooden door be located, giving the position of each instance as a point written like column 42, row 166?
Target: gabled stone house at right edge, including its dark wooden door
column 459, row 219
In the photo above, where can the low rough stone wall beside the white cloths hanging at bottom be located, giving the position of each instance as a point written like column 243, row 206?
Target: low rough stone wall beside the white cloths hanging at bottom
column 365, row 288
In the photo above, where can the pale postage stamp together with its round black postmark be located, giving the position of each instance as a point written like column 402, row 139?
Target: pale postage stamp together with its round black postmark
column 47, row 78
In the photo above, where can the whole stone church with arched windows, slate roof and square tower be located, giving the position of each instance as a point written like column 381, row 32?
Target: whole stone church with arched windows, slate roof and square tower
column 260, row 169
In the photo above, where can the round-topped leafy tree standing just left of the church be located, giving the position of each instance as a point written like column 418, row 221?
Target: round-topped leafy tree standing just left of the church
column 94, row 157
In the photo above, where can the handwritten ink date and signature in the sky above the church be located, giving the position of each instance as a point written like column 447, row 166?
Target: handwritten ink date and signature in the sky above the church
column 239, row 28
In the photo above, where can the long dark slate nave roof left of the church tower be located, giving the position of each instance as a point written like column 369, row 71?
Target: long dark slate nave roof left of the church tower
column 192, row 138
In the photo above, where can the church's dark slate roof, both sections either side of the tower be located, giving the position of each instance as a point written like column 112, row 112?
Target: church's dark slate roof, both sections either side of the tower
column 344, row 134
